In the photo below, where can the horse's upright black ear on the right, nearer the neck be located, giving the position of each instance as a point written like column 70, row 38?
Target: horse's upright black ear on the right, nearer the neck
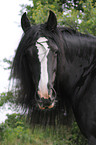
column 52, row 21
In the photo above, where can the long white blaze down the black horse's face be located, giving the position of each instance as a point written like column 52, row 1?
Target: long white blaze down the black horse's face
column 43, row 51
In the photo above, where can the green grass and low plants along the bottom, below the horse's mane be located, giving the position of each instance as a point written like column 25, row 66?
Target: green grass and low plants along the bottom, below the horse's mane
column 15, row 131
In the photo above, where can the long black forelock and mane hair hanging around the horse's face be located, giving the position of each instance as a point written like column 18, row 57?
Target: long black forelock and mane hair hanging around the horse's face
column 25, row 85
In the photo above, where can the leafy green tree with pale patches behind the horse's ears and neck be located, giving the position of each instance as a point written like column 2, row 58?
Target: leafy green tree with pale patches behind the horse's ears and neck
column 83, row 19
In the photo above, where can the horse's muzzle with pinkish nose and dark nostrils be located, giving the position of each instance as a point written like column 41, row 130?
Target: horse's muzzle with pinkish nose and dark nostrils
column 46, row 101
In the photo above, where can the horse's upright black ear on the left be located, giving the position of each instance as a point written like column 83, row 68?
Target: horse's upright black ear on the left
column 25, row 24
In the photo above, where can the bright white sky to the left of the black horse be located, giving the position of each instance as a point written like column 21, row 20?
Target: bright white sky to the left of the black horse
column 10, row 35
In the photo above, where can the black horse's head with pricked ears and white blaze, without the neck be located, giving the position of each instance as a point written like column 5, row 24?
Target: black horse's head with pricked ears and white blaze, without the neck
column 36, row 59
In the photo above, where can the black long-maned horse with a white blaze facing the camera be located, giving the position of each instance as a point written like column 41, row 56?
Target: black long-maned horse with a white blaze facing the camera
column 55, row 67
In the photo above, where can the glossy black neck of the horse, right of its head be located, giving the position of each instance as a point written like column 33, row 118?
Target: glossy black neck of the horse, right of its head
column 78, row 62
